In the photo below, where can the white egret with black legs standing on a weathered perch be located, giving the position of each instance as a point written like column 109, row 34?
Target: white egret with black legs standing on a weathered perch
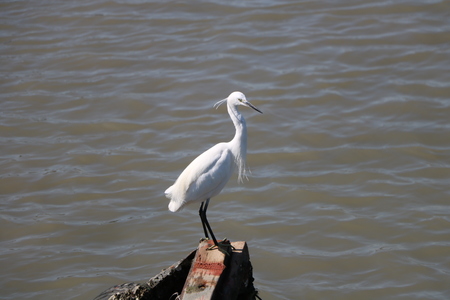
column 207, row 175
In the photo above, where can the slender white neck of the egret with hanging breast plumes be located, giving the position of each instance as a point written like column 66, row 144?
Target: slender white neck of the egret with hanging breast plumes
column 239, row 141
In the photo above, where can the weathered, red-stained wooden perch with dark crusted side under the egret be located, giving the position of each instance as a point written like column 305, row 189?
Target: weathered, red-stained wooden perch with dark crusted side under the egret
column 203, row 274
